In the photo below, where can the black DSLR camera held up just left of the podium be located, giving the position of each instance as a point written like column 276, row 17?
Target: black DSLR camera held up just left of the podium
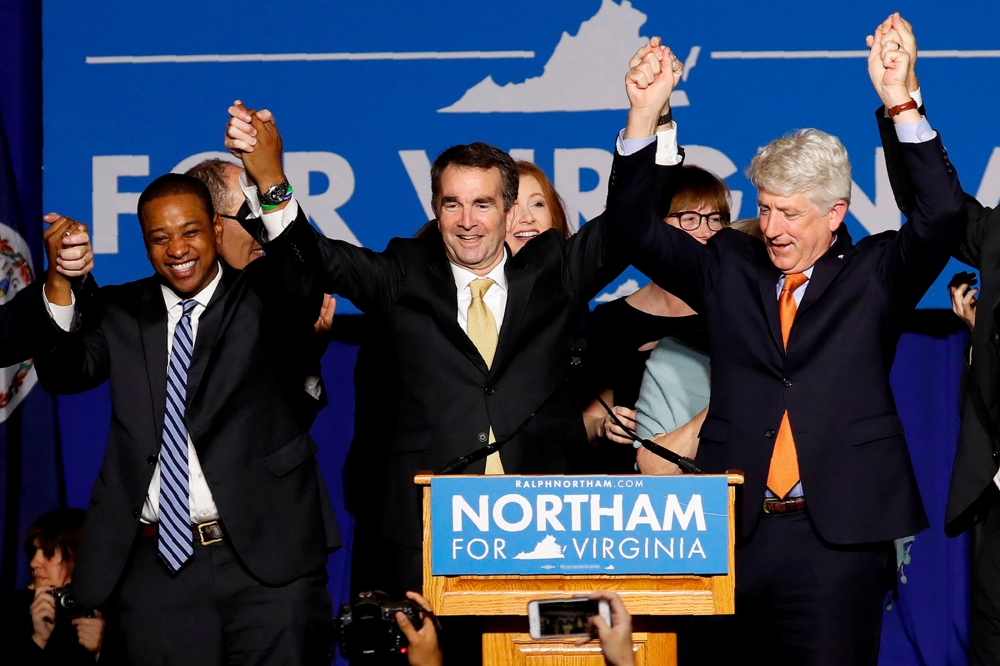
column 367, row 631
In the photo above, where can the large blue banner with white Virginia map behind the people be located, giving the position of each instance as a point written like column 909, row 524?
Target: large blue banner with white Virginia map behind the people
column 367, row 94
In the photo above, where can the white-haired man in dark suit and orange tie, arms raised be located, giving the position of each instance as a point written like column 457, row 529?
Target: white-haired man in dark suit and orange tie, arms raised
column 805, row 410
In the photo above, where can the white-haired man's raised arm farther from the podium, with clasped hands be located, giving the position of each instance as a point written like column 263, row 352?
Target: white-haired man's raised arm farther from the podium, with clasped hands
column 921, row 248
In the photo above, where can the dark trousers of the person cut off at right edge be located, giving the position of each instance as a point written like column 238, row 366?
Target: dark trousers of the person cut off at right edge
column 984, row 615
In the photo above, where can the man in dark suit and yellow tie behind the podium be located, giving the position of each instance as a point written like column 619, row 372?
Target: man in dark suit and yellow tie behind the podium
column 456, row 396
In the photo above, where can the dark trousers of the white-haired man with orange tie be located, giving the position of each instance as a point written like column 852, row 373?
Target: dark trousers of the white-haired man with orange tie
column 802, row 602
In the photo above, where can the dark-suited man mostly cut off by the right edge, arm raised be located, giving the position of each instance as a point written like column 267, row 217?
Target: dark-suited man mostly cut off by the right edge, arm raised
column 974, row 497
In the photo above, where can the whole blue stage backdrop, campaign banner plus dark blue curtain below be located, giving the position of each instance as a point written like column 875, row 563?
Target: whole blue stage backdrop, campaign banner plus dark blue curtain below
column 366, row 94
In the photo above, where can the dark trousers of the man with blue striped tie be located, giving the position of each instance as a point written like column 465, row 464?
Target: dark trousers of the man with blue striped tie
column 214, row 612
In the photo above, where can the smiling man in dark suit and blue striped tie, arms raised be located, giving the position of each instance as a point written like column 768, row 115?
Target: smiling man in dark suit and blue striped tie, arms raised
column 206, row 524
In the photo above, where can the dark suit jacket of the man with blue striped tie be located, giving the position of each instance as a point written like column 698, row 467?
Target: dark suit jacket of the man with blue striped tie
column 244, row 384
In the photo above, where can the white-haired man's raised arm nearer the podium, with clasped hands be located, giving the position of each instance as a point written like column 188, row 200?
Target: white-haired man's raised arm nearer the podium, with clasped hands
column 670, row 257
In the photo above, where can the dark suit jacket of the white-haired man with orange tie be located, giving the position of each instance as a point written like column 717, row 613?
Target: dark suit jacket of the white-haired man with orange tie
column 834, row 378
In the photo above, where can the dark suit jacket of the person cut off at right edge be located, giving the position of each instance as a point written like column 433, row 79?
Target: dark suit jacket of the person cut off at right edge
column 979, row 246
